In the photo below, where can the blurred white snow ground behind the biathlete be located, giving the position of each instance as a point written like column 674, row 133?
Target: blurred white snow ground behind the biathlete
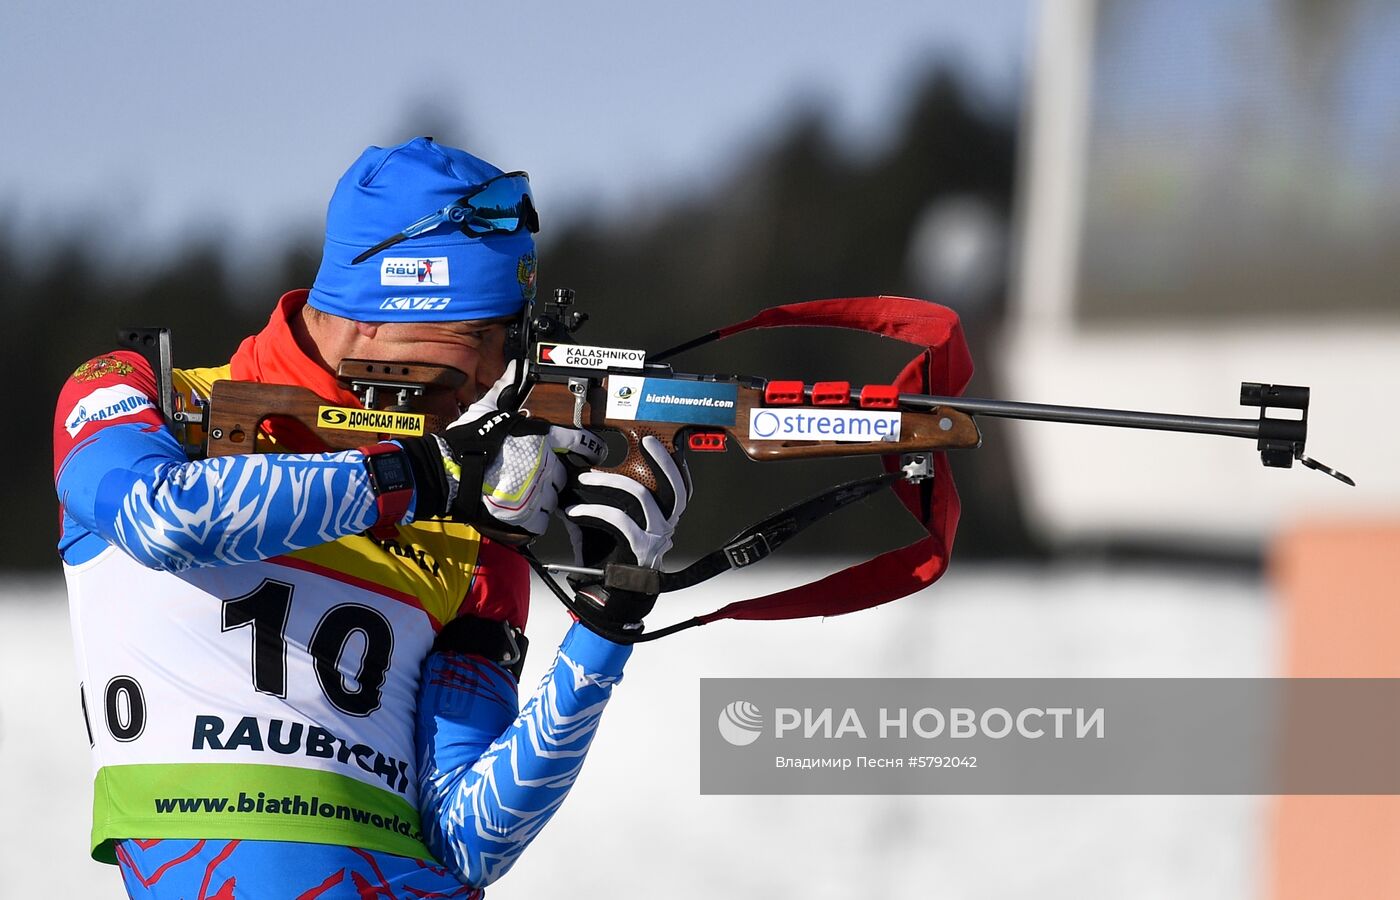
column 636, row 825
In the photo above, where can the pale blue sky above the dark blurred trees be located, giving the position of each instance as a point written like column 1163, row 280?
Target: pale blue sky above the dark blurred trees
column 152, row 121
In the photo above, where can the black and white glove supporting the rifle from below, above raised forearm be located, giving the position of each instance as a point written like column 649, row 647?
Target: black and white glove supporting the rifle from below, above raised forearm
column 612, row 519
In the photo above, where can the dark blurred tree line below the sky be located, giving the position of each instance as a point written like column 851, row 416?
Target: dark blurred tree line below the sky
column 799, row 220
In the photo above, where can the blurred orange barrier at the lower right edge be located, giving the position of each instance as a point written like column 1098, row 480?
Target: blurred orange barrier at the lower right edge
column 1340, row 589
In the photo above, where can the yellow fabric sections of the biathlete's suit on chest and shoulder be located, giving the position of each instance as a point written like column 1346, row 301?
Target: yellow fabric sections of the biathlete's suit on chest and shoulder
column 428, row 565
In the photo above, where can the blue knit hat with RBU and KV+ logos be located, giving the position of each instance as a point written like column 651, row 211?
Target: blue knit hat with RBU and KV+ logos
column 443, row 276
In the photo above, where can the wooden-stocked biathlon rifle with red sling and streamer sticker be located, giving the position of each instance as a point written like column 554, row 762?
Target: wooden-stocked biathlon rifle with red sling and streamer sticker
column 636, row 395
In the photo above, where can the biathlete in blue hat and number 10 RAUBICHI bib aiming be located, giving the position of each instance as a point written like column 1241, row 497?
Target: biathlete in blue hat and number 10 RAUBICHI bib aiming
column 299, row 668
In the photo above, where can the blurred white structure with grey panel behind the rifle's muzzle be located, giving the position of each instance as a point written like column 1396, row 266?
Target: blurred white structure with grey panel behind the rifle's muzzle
column 1209, row 197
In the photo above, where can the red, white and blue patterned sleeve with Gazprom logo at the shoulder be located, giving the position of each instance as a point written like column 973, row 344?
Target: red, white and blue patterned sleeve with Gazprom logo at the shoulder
column 124, row 481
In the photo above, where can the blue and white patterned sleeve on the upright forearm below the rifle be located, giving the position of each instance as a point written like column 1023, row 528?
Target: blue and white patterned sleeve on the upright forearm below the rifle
column 491, row 779
